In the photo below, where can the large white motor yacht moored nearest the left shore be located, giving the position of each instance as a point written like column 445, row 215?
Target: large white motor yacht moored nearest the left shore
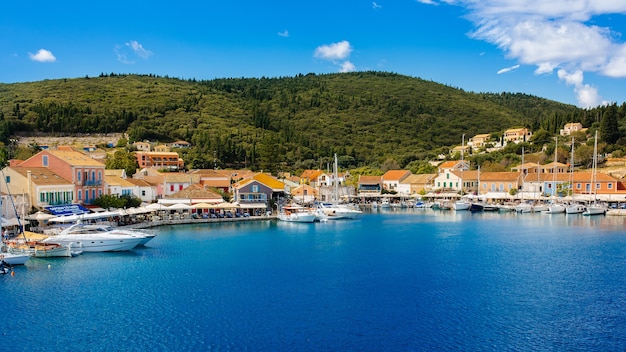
column 99, row 238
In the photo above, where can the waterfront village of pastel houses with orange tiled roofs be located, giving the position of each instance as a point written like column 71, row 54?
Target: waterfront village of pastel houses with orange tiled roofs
column 61, row 176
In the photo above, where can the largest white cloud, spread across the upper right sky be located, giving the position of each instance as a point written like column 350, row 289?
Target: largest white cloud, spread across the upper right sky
column 552, row 35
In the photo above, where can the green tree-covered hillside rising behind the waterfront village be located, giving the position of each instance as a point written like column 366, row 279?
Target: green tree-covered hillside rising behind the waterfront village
column 290, row 123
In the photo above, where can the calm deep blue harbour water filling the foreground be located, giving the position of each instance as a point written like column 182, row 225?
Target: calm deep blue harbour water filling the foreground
column 413, row 281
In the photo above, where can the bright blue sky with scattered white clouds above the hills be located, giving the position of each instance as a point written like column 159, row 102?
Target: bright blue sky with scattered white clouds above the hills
column 572, row 51
